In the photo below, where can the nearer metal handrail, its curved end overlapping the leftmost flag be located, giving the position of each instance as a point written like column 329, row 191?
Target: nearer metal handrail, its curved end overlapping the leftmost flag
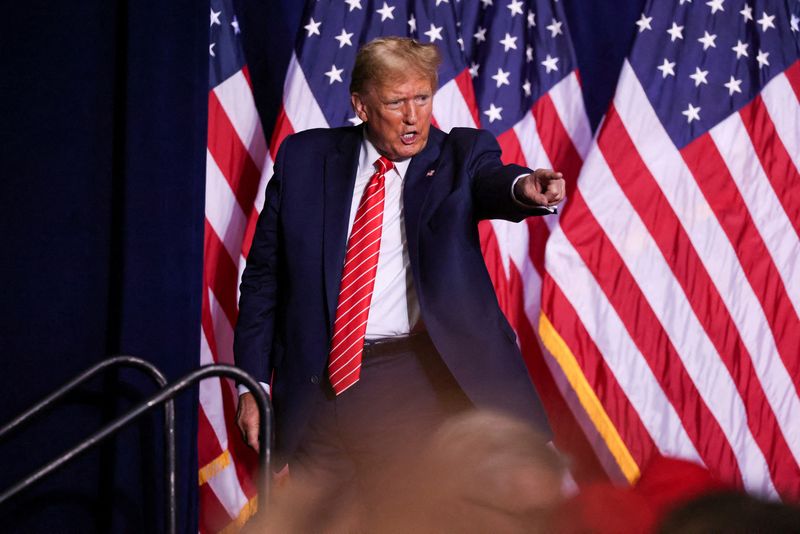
column 264, row 431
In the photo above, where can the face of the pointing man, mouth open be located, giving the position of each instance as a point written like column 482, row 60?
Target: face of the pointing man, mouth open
column 398, row 115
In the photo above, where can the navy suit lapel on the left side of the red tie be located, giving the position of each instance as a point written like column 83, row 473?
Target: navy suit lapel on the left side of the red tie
column 339, row 179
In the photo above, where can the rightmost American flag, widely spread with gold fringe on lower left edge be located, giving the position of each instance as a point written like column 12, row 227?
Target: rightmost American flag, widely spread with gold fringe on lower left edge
column 672, row 292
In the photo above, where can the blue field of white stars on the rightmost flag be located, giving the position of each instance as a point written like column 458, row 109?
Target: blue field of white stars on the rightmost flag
column 721, row 34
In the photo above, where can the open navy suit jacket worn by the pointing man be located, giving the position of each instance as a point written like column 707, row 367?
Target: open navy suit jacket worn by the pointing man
column 290, row 286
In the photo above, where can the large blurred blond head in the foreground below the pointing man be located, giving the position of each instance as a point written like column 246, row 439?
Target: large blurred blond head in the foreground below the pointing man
column 481, row 472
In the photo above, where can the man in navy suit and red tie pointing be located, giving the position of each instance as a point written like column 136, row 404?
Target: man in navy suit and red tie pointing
column 424, row 336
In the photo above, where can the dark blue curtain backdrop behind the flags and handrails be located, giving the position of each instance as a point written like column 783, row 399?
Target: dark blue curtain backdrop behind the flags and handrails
column 102, row 161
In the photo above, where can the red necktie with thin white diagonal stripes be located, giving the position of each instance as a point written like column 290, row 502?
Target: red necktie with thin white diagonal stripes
column 358, row 281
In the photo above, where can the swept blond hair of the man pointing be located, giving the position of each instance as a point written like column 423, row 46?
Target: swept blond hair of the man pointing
column 388, row 59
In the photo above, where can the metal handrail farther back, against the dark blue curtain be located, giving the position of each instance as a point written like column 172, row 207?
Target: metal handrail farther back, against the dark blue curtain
column 169, row 417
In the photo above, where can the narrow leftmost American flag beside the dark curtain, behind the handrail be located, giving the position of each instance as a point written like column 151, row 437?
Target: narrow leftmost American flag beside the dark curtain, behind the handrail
column 237, row 166
